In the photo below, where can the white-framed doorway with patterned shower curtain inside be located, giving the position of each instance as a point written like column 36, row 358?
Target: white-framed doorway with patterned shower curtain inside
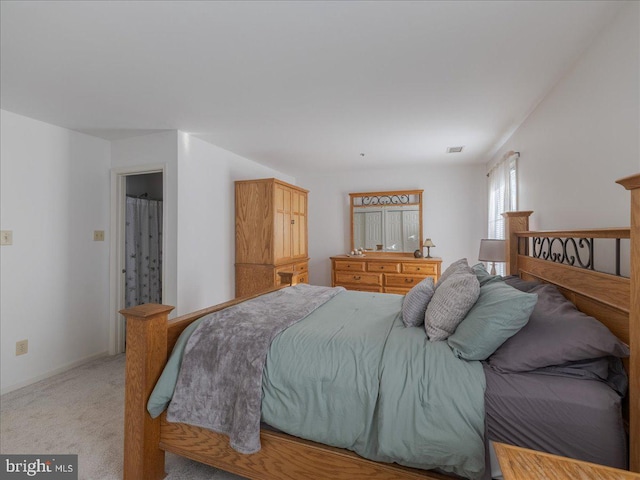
column 137, row 221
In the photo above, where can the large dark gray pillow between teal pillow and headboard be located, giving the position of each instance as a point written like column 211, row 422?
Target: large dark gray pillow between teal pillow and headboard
column 557, row 333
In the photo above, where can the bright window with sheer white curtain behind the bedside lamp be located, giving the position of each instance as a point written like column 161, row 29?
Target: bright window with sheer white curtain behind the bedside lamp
column 503, row 195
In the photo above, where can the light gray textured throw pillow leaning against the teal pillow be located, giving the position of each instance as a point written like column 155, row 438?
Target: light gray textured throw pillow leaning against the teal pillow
column 450, row 303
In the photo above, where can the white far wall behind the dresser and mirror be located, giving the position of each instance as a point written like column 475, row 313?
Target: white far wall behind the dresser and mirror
column 454, row 210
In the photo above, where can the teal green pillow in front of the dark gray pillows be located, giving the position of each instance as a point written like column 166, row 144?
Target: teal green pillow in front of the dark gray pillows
column 500, row 312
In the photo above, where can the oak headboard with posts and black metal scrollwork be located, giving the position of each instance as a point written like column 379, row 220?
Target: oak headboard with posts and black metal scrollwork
column 566, row 259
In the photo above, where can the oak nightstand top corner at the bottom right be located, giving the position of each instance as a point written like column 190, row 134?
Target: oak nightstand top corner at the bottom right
column 523, row 464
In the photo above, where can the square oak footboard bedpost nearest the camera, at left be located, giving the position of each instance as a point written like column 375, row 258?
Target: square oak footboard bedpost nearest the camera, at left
column 146, row 357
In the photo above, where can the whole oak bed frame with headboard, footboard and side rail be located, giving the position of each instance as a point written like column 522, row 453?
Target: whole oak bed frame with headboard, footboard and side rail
column 613, row 299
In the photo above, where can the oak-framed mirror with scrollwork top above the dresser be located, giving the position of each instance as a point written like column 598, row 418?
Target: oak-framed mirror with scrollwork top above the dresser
column 386, row 221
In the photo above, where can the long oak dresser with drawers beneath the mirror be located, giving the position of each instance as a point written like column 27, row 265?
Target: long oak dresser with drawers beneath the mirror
column 387, row 273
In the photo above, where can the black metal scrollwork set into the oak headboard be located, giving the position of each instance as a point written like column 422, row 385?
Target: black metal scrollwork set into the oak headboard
column 564, row 250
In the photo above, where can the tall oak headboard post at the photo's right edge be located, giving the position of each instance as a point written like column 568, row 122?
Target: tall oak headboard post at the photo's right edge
column 632, row 183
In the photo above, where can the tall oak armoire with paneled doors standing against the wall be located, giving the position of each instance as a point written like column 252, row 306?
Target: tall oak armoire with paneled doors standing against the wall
column 271, row 234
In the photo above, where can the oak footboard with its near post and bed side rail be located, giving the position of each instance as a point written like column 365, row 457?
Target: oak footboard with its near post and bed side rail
column 150, row 339
